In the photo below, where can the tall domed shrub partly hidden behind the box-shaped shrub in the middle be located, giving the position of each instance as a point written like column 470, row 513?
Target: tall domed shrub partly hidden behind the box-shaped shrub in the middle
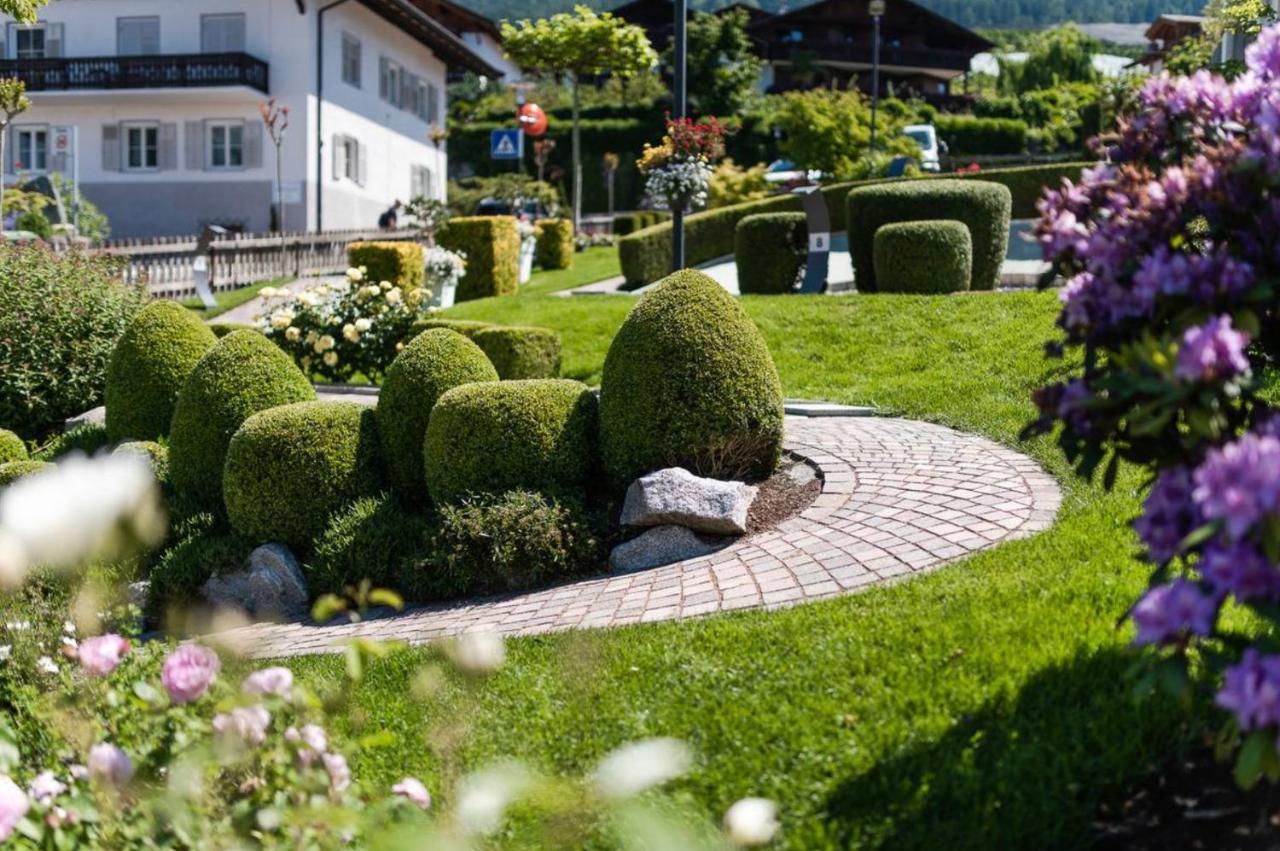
column 436, row 362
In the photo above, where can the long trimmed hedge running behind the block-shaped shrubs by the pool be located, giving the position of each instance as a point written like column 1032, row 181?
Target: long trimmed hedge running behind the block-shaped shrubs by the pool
column 646, row 255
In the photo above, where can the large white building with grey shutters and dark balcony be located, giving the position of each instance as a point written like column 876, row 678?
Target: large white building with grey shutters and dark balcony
column 162, row 99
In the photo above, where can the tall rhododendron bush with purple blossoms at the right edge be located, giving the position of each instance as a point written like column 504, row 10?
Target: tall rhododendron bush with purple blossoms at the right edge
column 1173, row 272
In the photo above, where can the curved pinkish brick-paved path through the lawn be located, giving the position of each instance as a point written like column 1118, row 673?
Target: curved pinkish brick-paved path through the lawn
column 899, row 498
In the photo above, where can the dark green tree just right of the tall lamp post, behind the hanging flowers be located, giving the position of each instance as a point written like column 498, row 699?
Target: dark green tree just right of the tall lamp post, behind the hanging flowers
column 725, row 63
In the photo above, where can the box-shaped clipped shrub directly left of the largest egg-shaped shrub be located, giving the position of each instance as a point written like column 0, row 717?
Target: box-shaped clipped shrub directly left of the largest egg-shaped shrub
column 502, row 436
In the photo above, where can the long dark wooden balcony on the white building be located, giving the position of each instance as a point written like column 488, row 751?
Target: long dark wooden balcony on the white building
column 173, row 71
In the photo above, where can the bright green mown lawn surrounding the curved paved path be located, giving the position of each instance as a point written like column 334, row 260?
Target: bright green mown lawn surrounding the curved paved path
column 982, row 707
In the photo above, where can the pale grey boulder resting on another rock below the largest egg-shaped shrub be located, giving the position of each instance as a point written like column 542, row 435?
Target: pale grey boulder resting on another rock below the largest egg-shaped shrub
column 678, row 497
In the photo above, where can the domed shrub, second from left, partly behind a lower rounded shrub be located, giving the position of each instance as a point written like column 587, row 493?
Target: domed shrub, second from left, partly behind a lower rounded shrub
column 244, row 374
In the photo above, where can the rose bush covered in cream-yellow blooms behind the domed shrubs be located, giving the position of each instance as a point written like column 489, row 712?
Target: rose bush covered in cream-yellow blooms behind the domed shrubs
column 341, row 330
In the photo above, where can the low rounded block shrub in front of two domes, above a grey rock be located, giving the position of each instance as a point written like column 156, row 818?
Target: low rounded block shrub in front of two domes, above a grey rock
column 289, row 469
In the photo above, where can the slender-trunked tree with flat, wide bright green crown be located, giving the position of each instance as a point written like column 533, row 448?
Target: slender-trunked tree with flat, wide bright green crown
column 583, row 44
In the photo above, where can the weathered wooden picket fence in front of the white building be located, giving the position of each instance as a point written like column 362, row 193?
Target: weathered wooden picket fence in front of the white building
column 167, row 264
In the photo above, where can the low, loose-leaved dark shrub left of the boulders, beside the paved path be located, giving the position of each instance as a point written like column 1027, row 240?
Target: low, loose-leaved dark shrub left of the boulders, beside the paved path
column 513, row 542
